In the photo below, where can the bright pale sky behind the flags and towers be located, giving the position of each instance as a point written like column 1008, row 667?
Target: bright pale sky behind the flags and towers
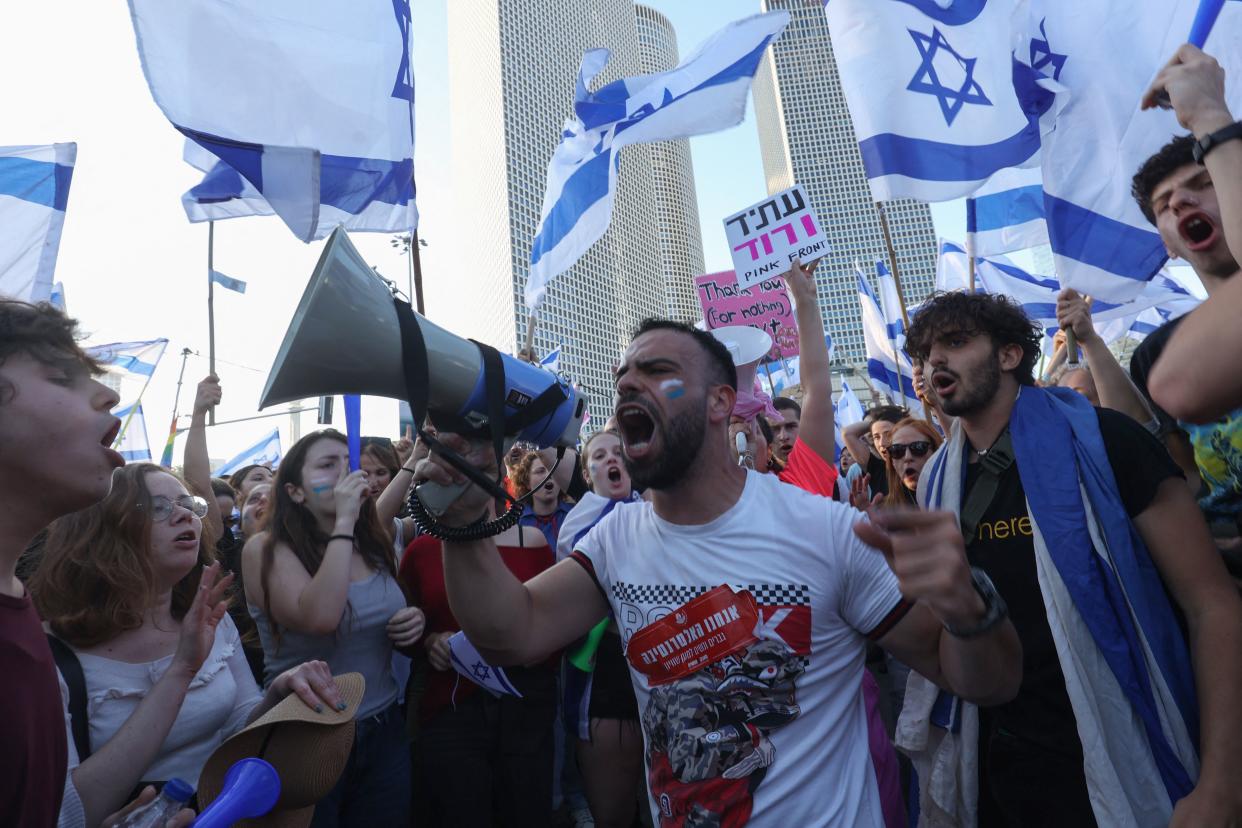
column 135, row 269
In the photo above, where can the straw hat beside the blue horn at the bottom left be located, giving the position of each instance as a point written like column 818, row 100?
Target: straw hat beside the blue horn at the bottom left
column 307, row 749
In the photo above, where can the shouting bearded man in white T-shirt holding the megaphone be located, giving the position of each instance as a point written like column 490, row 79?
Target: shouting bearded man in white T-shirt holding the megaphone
column 745, row 604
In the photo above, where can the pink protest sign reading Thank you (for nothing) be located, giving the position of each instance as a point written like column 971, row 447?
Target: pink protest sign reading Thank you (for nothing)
column 766, row 306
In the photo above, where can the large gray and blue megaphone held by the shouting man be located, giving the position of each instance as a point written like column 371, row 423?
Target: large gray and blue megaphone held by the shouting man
column 351, row 335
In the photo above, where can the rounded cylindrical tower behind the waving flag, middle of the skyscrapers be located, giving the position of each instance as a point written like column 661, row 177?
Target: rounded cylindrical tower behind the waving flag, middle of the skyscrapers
column 681, row 239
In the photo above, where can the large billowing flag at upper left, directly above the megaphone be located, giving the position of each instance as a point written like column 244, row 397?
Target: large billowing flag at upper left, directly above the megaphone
column 307, row 109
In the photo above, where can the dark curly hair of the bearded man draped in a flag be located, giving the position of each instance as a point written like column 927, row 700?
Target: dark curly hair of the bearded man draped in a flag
column 977, row 313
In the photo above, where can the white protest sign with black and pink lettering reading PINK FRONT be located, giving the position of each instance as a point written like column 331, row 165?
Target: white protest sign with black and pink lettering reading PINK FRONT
column 766, row 238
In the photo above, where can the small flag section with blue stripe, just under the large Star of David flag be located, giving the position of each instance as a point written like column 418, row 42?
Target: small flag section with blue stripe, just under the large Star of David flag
column 1007, row 214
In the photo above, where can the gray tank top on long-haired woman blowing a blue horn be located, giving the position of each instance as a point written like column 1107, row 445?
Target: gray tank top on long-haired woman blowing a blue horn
column 361, row 645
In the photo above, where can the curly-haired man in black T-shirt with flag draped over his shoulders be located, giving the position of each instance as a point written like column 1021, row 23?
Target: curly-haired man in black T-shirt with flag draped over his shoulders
column 1091, row 536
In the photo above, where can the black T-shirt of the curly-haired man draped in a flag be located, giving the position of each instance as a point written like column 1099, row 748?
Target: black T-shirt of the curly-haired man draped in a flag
column 1004, row 548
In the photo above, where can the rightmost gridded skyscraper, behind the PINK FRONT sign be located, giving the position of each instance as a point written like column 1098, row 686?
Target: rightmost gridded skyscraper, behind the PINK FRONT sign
column 807, row 137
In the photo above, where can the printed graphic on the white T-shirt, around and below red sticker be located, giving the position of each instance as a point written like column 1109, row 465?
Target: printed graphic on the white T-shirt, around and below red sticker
column 709, row 733
